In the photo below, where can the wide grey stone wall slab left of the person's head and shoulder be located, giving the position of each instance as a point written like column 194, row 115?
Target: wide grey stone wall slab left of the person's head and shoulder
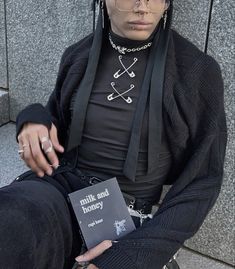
column 38, row 32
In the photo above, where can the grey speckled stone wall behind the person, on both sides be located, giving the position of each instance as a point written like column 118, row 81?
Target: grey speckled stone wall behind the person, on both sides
column 38, row 32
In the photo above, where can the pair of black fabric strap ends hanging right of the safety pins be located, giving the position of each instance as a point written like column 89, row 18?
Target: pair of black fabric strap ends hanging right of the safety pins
column 155, row 76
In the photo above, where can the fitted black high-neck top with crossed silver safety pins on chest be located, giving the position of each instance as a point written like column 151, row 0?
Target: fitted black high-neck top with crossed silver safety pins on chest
column 108, row 122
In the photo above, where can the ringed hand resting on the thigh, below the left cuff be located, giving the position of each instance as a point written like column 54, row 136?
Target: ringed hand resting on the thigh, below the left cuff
column 31, row 140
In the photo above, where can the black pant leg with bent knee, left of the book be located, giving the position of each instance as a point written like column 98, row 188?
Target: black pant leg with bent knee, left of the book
column 36, row 230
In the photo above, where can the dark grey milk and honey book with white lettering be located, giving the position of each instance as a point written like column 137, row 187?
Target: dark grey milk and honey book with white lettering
column 101, row 212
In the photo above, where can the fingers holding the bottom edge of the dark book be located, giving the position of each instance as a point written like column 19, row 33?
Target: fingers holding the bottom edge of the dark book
column 95, row 252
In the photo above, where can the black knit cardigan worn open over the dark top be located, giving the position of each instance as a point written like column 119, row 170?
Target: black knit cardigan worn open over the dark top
column 194, row 120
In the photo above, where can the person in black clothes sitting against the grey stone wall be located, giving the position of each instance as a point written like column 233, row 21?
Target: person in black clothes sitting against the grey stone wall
column 133, row 100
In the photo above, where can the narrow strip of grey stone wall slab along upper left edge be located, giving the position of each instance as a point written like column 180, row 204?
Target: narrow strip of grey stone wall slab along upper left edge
column 3, row 64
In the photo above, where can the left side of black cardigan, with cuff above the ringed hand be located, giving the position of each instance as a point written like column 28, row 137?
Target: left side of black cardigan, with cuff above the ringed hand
column 56, row 110
